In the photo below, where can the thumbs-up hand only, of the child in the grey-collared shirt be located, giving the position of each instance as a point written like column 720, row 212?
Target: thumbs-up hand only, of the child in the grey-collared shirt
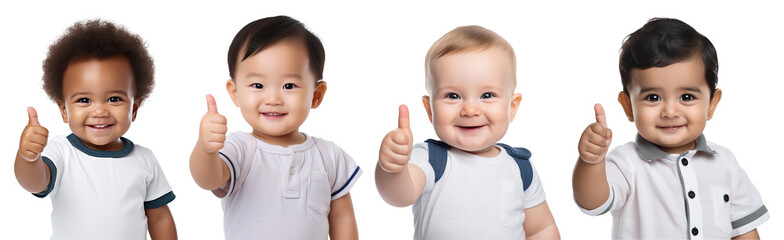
column 596, row 139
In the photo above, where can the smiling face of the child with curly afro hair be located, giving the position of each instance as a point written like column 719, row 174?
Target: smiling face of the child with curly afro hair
column 99, row 103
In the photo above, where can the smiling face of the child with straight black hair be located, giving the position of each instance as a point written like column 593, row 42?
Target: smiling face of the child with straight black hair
column 275, row 90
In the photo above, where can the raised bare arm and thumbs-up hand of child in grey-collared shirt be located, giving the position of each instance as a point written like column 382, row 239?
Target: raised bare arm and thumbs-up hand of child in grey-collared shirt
column 589, row 181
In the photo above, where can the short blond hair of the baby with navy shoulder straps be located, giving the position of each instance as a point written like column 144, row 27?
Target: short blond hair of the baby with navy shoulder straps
column 466, row 38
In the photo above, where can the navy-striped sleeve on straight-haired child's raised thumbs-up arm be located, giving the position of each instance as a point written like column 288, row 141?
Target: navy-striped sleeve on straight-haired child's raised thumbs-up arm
column 232, row 156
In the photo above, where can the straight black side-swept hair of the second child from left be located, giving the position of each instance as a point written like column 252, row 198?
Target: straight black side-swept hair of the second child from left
column 265, row 32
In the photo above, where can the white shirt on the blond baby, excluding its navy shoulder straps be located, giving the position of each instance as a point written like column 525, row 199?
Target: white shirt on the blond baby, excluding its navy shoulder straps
column 476, row 197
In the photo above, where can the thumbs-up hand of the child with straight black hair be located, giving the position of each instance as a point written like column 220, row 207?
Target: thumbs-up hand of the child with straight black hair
column 212, row 130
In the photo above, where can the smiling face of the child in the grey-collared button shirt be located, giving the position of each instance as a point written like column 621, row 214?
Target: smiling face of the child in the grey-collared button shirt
column 670, row 105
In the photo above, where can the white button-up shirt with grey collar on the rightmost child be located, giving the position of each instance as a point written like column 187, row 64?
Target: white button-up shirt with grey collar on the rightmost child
column 700, row 194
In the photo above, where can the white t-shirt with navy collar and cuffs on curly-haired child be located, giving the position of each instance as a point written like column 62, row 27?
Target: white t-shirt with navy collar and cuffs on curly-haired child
column 102, row 194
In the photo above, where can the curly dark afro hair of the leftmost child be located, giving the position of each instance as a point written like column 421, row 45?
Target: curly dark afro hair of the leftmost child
column 97, row 39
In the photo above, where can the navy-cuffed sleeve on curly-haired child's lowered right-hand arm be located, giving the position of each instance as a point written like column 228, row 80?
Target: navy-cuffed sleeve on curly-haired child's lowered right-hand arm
column 159, row 193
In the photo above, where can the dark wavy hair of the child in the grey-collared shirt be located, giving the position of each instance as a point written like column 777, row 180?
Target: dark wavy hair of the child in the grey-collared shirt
column 664, row 41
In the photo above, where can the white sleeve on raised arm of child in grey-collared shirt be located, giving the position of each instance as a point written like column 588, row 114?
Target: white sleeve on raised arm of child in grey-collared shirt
column 618, row 183
